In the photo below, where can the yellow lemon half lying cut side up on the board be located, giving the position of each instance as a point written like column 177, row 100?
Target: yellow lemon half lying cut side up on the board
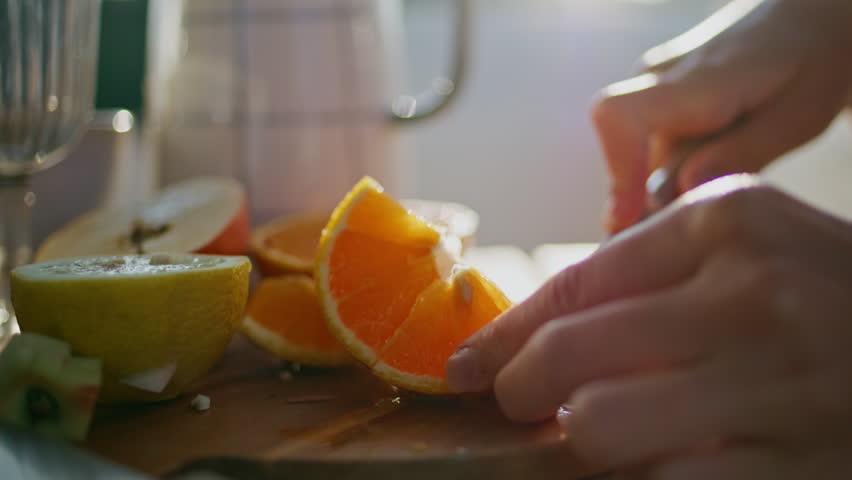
column 158, row 322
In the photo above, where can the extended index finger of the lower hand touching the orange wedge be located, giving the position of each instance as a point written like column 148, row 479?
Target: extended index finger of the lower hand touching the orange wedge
column 652, row 256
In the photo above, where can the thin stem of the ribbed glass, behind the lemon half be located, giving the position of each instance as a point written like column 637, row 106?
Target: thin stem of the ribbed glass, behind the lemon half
column 16, row 203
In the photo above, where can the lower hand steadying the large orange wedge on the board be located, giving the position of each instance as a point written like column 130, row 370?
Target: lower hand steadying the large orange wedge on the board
column 712, row 341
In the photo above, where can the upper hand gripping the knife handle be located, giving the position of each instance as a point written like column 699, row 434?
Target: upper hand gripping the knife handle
column 773, row 77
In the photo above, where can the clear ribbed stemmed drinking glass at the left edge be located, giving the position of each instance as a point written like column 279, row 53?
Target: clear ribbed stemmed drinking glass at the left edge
column 48, row 52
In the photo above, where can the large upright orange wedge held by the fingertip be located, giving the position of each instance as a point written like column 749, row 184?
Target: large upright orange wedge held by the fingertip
column 394, row 293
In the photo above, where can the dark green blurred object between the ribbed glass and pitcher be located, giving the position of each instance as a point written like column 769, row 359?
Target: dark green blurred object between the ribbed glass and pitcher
column 121, row 63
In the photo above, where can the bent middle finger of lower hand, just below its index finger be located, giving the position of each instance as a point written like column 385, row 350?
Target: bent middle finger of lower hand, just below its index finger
column 637, row 336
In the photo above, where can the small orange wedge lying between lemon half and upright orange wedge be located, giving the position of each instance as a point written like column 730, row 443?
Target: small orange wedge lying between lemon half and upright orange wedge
column 284, row 317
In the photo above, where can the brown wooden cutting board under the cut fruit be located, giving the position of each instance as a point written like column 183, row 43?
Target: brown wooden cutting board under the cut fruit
column 268, row 421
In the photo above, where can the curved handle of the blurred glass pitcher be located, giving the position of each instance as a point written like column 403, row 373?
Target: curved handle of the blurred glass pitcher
column 407, row 109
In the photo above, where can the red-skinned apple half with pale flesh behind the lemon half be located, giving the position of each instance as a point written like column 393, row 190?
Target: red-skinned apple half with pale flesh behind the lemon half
column 202, row 215
